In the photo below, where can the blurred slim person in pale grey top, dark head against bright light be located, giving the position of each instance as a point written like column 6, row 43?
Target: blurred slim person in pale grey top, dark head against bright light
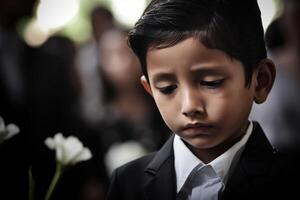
column 90, row 107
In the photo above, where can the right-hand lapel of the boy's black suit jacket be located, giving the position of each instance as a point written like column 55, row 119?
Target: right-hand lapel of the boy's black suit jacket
column 250, row 174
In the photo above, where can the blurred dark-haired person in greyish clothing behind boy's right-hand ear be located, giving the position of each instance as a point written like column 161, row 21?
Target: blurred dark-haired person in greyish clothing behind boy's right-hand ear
column 280, row 115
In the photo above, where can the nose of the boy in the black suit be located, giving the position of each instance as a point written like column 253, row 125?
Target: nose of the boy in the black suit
column 192, row 103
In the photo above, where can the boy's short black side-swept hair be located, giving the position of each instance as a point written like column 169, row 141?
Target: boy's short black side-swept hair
column 233, row 26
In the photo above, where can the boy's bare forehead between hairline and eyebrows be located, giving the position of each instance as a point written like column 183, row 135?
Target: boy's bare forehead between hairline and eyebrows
column 188, row 54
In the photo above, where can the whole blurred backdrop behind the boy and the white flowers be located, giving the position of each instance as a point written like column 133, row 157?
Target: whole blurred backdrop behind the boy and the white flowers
column 65, row 67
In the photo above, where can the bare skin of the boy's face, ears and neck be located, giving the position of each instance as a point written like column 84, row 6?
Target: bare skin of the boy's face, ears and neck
column 201, row 94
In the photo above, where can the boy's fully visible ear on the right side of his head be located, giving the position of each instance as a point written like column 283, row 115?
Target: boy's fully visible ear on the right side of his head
column 265, row 74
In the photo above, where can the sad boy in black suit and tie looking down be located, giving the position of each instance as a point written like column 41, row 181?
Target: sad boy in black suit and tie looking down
column 204, row 63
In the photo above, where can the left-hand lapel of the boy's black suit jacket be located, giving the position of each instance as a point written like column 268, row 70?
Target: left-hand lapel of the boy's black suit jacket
column 161, row 174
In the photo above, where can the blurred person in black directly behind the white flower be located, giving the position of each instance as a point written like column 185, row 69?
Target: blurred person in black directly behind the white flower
column 55, row 90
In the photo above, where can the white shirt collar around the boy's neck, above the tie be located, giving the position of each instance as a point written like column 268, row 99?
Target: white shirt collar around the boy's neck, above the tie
column 186, row 161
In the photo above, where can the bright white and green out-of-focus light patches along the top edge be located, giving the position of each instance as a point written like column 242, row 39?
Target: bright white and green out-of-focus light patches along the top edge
column 71, row 18
